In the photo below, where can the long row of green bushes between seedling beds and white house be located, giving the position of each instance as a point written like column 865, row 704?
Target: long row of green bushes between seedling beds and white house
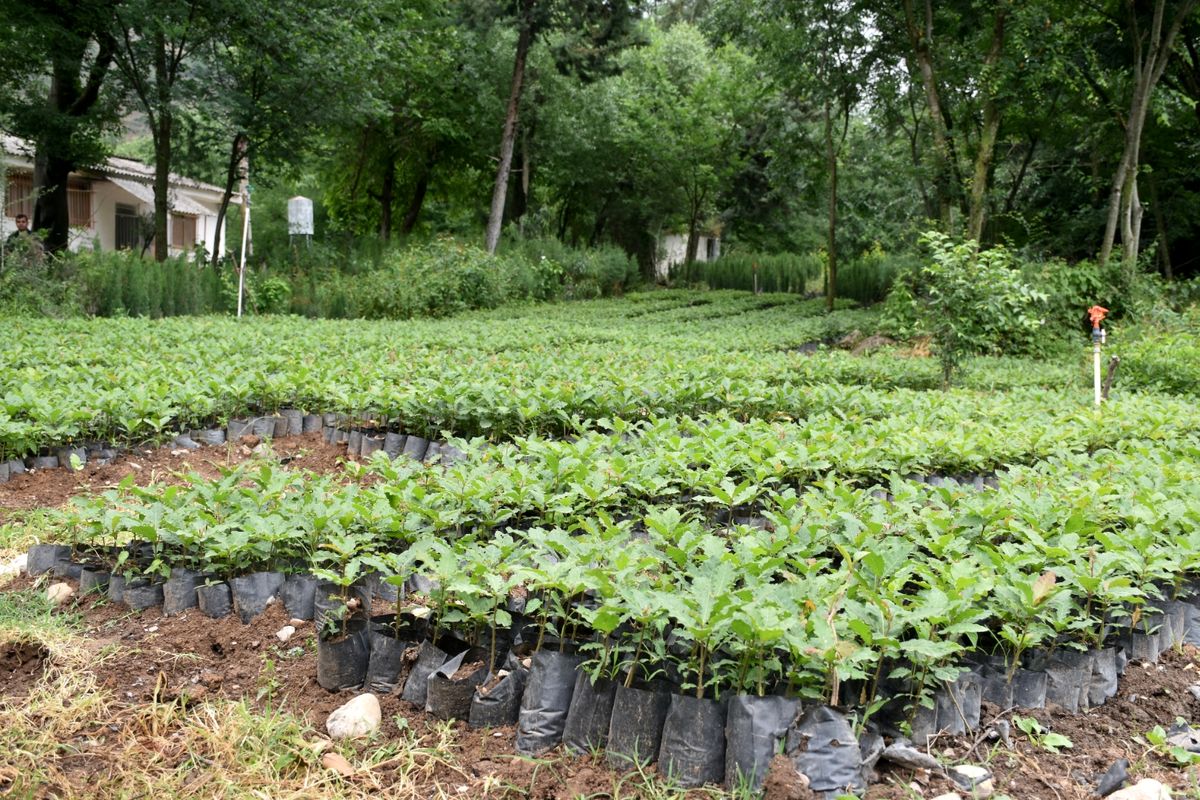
column 433, row 280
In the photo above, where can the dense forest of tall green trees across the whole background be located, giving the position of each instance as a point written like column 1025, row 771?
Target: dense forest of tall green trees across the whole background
column 841, row 128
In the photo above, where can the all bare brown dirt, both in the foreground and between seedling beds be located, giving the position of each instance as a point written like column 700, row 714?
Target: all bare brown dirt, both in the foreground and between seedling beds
column 142, row 658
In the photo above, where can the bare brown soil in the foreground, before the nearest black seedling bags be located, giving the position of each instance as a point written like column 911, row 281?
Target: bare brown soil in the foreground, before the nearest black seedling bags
column 195, row 660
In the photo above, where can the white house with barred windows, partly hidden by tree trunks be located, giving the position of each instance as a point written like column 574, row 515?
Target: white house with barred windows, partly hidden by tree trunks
column 112, row 203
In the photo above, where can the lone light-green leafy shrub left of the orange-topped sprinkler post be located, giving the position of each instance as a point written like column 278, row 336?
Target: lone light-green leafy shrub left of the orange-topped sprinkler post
column 969, row 302
